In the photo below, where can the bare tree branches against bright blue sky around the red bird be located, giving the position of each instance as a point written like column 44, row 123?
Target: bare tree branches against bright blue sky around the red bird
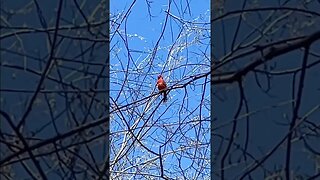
column 150, row 138
